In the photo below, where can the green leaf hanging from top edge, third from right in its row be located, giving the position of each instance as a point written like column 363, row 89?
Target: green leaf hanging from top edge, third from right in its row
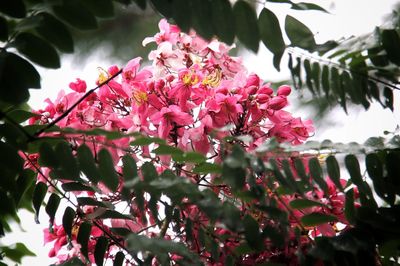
column 246, row 25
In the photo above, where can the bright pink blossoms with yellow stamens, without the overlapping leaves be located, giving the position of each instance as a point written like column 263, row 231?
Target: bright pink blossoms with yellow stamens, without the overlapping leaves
column 192, row 95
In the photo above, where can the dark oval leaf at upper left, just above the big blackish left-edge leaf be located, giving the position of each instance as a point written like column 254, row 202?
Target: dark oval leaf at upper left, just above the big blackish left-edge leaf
column 37, row 50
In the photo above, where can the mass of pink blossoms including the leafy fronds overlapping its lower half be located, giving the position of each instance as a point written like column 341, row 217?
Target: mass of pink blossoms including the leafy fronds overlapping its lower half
column 178, row 162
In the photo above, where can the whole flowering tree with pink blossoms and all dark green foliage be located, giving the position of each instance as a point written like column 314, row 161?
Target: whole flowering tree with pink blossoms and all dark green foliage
column 175, row 142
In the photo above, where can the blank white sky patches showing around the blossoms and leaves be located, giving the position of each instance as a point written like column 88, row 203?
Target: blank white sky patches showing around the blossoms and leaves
column 348, row 17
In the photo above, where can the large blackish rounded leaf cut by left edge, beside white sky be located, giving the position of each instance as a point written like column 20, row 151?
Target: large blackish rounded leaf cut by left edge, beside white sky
column 16, row 76
